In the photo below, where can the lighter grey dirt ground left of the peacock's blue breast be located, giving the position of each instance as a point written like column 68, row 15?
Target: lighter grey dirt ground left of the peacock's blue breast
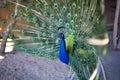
column 23, row 66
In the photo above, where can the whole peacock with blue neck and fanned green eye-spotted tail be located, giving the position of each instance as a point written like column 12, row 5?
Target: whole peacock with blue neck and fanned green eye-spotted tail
column 72, row 30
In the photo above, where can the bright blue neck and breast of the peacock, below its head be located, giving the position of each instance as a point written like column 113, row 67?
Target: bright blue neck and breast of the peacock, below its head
column 63, row 55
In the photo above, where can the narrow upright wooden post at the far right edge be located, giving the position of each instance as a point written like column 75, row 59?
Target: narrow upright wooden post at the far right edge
column 116, row 24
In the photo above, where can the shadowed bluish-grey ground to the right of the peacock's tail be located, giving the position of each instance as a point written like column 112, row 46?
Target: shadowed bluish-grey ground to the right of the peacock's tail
column 112, row 64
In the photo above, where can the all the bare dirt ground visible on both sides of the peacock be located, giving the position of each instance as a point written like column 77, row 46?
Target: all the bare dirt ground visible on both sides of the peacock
column 23, row 66
